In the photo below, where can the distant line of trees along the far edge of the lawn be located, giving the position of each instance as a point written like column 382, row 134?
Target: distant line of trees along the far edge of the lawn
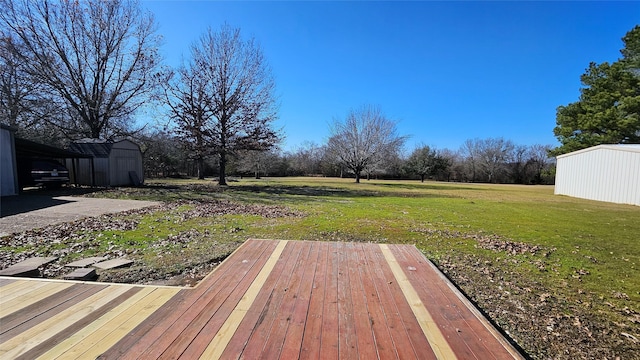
column 492, row 160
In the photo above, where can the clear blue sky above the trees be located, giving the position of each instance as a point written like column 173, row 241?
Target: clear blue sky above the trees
column 446, row 71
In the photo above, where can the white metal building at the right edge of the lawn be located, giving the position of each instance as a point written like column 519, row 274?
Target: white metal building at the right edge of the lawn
column 608, row 173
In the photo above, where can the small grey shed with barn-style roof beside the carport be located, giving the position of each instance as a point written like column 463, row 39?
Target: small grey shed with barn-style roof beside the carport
column 112, row 163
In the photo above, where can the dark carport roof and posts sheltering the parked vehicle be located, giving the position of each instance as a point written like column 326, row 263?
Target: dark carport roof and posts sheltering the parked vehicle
column 26, row 149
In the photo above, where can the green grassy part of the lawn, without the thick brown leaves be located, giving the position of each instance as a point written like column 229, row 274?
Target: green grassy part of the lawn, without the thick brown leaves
column 583, row 236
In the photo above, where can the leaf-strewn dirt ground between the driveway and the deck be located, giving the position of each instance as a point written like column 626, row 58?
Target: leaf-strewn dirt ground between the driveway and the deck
column 84, row 238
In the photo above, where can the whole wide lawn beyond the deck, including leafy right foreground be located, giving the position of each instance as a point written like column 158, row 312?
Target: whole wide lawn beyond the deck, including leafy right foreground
column 555, row 272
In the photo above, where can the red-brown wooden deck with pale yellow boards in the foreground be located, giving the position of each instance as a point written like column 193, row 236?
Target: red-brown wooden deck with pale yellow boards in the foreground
column 269, row 299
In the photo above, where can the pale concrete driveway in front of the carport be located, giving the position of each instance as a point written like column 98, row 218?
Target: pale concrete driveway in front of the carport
column 25, row 212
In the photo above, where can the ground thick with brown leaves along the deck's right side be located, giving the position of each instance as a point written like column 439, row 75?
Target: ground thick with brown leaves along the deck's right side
column 546, row 325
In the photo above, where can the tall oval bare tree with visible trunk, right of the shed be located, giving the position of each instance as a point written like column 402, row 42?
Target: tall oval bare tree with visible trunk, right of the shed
column 238, row 104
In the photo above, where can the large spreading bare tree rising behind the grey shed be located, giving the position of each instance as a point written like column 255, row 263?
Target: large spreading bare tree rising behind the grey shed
column 97, row 57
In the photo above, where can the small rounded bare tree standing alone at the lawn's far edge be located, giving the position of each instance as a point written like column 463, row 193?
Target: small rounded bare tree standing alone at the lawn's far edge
column 362, row 140
